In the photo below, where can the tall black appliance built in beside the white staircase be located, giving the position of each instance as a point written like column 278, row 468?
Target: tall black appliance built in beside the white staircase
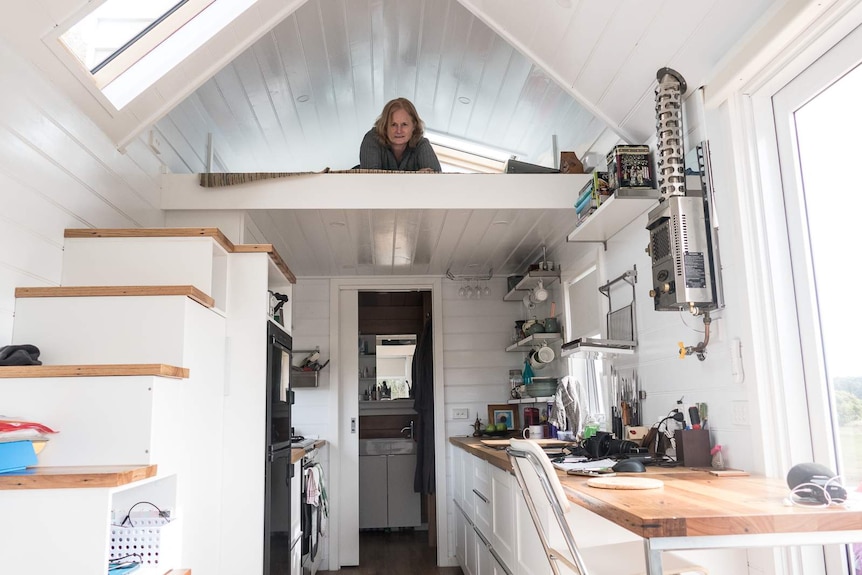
column 277, row 541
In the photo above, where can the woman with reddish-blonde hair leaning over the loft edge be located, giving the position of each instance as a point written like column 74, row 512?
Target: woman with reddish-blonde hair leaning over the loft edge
column 396, row 141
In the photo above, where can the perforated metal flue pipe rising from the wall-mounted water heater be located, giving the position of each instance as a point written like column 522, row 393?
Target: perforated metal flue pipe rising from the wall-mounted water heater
column 670, row 150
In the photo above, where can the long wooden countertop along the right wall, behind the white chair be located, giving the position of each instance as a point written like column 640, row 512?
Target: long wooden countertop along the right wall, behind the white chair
column 693, row 502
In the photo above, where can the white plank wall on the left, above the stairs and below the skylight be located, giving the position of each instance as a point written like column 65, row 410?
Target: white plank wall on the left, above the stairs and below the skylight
column 57, row 171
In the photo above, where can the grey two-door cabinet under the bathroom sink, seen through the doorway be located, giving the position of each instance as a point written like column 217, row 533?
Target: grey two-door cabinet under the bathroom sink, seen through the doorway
column 387, row 498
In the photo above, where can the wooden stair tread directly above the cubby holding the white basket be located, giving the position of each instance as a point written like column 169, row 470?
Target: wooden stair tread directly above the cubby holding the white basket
column 76, row 477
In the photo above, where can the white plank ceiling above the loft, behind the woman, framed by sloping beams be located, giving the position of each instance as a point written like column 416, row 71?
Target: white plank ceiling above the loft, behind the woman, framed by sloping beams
column 304, row 94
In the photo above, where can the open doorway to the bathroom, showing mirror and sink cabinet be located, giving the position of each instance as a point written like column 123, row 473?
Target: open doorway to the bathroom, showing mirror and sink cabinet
column 391, row 429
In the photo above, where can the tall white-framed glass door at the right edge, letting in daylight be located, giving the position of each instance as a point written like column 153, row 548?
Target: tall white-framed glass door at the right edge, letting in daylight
column 818, row 121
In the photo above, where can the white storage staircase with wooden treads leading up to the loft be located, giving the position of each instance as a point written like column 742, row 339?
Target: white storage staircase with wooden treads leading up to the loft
column 137, row 380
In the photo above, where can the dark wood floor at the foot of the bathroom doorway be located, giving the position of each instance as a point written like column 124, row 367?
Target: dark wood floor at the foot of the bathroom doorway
column 396, row 553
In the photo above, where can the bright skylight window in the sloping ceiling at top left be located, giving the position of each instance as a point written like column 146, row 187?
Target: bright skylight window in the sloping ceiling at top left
column 125, row 46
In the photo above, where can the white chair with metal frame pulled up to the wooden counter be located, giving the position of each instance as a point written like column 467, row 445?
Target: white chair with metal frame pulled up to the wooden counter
column 545, row 498
